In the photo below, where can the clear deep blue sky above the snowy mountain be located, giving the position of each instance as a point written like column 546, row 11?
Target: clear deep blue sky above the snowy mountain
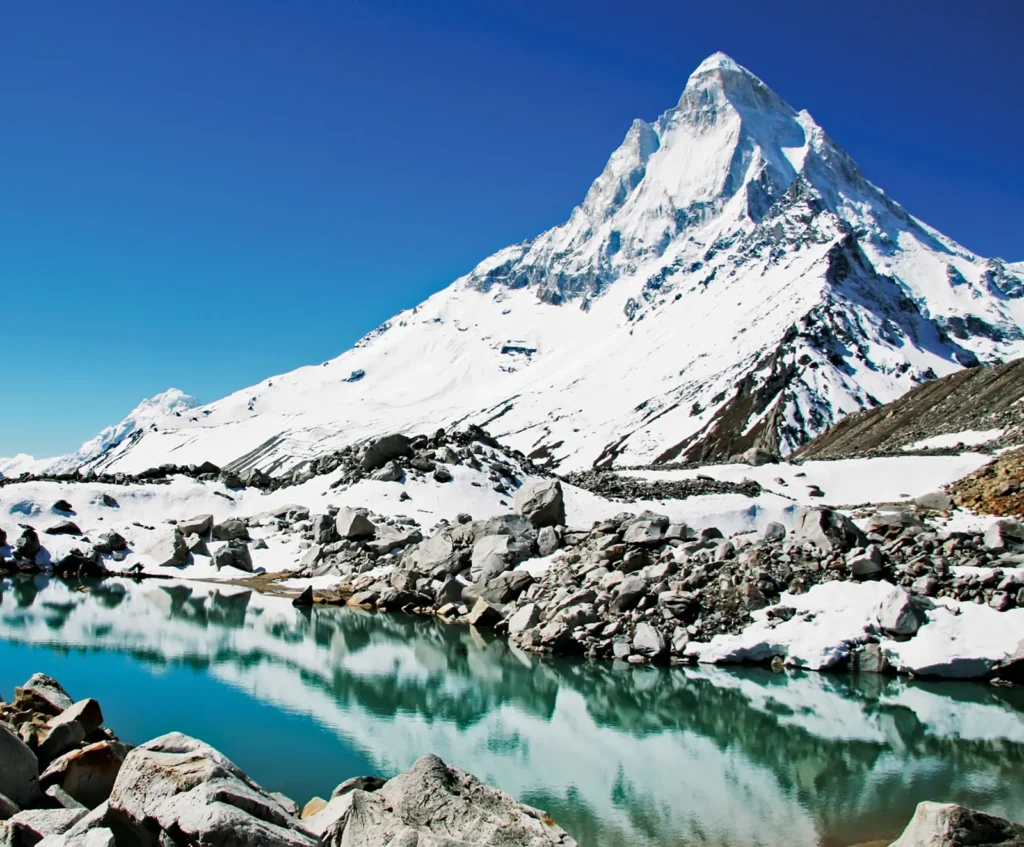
column 203, row 194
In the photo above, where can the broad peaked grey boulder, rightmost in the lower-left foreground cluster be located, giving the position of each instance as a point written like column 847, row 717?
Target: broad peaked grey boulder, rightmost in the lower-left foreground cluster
column 434, row 806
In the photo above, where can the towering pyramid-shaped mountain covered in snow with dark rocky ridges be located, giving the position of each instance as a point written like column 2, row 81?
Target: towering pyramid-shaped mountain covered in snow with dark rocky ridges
column 732, row 279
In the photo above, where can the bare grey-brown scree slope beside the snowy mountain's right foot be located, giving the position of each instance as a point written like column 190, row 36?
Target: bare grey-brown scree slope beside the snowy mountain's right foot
column 979, row 399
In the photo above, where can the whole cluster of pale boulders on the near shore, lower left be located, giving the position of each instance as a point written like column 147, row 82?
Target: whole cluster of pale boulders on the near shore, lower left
column 66, row 782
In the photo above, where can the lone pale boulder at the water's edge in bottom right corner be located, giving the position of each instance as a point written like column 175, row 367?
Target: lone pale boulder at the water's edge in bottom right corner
column 947, row 825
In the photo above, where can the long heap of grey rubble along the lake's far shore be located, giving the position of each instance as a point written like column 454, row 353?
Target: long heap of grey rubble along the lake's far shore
column 642, row 589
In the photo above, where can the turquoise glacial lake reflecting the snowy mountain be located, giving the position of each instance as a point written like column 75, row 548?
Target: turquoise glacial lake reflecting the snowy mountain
column 619, row 755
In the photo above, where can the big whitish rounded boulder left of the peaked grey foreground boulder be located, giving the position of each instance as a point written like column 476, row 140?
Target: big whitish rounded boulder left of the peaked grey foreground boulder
column 180, row 785
